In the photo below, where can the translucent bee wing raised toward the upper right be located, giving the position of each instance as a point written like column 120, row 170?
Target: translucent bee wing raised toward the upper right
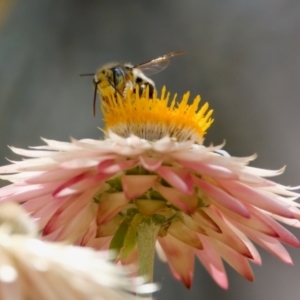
column 158, row 64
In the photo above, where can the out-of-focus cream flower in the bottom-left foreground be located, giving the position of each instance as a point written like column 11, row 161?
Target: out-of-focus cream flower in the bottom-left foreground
column 33, row 269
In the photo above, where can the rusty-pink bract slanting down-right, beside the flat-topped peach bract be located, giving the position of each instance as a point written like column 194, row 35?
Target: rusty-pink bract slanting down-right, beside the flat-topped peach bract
column 188, row 204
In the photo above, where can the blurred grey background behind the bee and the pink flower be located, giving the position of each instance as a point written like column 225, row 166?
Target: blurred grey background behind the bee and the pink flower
column 243, row 57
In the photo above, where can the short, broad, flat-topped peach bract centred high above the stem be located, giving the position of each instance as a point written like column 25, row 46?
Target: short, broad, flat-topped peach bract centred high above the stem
column 136, row 185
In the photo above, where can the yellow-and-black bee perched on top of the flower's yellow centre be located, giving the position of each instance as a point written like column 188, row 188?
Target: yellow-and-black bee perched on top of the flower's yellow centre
column 121, row 77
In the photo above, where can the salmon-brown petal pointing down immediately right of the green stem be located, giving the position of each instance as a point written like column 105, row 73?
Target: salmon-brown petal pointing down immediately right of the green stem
column 180, row 258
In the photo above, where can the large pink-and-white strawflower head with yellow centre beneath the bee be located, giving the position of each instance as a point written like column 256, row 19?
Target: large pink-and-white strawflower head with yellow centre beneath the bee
column 153, row 168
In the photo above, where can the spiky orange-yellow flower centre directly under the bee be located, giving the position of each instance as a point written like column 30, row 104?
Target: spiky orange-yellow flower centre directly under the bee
column 155, row 117
